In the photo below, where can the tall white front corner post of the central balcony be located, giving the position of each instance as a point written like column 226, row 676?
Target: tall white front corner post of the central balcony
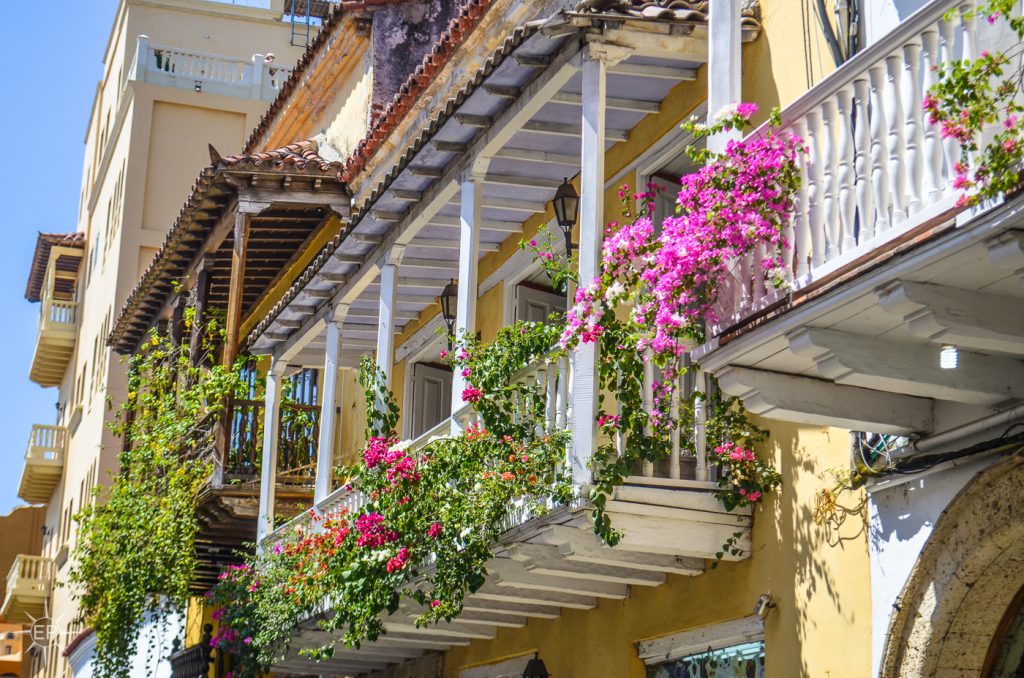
column 585, row 388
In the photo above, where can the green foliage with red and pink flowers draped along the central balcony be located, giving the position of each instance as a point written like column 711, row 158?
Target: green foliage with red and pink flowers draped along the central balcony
column 422, row 537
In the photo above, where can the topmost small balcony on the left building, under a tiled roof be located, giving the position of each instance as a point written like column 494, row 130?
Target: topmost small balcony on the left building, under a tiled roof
column 58, row 318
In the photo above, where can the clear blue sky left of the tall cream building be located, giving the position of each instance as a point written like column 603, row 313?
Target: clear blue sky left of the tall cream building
column 54, row 52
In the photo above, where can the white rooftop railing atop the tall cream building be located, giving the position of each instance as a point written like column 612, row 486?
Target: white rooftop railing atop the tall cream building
column 254, row 78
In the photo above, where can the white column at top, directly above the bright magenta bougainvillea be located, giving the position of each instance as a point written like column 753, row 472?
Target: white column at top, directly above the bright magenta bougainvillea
column 724, row 73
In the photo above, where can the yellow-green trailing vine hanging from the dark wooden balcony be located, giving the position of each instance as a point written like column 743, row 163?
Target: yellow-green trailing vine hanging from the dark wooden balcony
column 135, row 559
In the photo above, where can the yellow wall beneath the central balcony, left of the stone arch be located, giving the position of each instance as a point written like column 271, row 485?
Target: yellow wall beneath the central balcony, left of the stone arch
column 821, row 628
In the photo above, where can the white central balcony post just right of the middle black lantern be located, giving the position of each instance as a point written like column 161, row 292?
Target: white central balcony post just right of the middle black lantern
column 470, row 246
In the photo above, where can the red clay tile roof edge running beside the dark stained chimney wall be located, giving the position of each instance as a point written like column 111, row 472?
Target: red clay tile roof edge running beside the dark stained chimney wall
column 387, row 122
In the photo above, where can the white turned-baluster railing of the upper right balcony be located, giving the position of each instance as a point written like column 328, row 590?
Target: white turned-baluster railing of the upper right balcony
column 876, row 167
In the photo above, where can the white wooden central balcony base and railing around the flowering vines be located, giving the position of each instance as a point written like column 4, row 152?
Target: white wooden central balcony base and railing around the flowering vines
column 672, row 525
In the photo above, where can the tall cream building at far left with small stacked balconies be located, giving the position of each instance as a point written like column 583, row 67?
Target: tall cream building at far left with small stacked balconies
column 178, row 76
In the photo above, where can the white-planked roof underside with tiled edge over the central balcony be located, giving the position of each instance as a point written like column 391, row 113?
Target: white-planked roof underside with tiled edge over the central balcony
column 513, row 110
